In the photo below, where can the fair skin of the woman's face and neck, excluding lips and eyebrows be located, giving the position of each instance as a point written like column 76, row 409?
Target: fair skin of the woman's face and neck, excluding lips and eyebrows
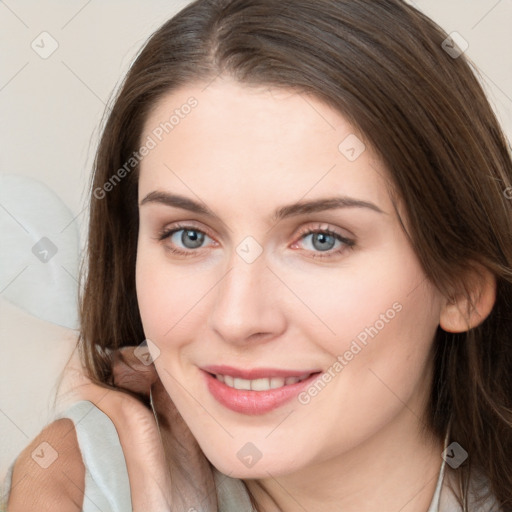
column 243, row 152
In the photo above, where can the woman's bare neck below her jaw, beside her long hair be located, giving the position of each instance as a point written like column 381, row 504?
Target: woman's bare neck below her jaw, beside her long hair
column 396, row 469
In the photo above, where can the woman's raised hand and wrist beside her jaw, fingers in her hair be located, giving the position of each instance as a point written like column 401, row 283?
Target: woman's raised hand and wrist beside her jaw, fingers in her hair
column 166, row 467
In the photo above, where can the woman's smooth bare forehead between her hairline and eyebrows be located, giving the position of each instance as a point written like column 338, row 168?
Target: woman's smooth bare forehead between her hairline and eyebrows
column 261, row 143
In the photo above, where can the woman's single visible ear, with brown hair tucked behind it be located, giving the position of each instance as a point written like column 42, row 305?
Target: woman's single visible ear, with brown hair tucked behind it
column 463, row 311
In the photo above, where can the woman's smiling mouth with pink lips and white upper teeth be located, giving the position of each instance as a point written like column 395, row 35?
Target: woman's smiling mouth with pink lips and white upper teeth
column 256, row 391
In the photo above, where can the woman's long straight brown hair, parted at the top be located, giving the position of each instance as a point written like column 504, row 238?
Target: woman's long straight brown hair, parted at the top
column 381, row 64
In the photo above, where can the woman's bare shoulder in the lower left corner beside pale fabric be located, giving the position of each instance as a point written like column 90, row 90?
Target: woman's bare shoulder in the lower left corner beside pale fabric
column 49, row 474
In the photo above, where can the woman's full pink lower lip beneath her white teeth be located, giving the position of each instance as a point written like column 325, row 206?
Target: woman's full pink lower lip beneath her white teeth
column 254, row 402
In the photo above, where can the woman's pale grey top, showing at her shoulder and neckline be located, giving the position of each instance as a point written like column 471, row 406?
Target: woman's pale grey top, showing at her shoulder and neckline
column 107, row 486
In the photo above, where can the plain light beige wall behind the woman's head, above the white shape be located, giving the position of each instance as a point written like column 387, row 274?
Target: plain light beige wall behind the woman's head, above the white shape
column 50, row 109
